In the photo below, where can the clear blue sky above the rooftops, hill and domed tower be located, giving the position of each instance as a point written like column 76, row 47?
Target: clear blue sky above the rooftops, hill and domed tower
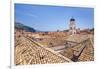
column 53, row 18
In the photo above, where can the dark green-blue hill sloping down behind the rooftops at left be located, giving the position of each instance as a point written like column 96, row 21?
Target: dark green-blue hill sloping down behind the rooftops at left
column 20, row 26
